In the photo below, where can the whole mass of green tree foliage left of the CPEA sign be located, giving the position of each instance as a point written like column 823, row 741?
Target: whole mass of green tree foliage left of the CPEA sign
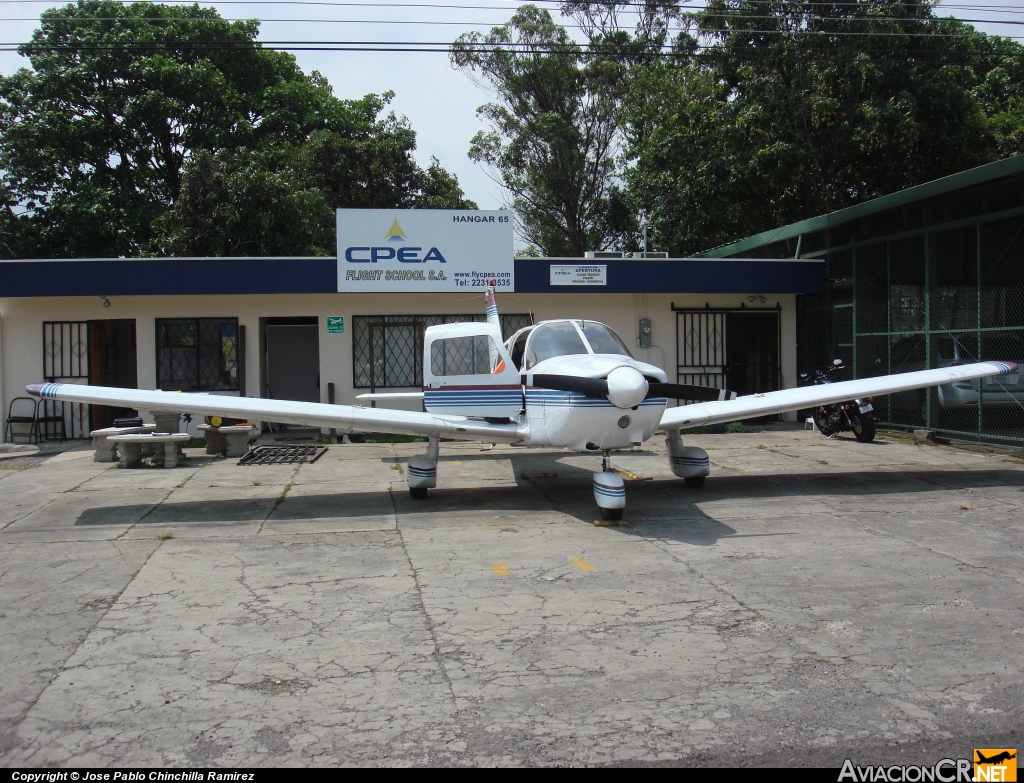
column 146, row 128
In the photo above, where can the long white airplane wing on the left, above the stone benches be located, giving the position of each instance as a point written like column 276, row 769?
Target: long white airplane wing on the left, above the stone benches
column 350, row 418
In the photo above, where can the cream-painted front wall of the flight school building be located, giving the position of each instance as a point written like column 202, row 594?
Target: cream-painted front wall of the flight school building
column 21, row 322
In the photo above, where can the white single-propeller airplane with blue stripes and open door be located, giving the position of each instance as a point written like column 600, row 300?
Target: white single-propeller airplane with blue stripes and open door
column 569, row 383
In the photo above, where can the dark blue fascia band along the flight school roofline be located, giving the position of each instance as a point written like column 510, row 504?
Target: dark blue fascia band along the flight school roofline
column 191, row 277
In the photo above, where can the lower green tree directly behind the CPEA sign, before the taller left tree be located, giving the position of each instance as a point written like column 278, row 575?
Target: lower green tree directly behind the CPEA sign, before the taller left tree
column 280, row 199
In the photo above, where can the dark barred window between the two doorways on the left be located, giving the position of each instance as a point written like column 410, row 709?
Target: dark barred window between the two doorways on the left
column 198, row 355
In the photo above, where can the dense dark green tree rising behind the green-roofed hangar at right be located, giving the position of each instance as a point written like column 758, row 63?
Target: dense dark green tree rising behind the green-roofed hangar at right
column 793, row 110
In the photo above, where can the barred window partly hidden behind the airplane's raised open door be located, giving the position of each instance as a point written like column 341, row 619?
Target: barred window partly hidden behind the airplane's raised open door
column 388, row 351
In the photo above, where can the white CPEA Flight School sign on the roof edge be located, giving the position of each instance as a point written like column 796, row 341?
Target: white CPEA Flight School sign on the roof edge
column 424, row 250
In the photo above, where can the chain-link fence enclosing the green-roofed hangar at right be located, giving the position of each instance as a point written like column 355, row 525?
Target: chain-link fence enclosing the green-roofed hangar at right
column 929, row 297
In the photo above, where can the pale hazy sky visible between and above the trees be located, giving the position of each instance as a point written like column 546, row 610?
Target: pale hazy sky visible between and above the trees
column 440, row 102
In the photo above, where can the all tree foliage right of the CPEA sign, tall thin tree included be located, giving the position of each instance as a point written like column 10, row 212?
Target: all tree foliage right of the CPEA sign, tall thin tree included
column 736, row 119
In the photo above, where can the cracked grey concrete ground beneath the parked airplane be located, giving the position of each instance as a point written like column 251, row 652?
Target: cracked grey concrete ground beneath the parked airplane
column 817, row 600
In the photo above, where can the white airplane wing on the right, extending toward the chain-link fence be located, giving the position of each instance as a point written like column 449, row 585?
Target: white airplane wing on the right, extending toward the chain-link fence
column 752, row 406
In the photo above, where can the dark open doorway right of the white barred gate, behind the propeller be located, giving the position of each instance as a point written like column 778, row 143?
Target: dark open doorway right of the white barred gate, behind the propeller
column 752, row 363
